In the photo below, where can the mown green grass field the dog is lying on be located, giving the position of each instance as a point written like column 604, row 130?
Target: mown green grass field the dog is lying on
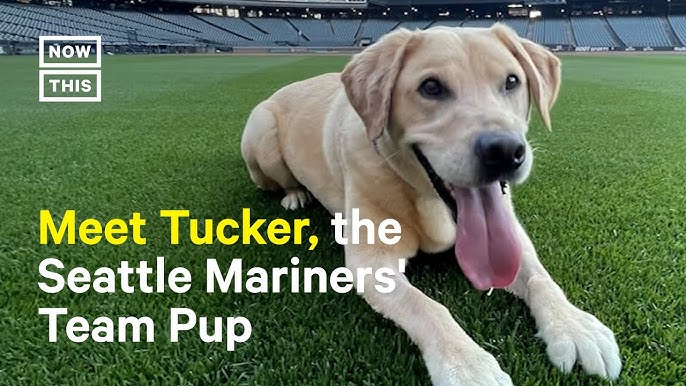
column 605, row 205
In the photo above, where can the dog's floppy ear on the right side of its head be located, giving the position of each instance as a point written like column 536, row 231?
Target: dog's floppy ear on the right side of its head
column 542, row 69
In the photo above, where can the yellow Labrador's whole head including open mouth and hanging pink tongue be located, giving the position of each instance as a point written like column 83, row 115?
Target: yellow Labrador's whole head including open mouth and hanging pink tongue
column 459, row 97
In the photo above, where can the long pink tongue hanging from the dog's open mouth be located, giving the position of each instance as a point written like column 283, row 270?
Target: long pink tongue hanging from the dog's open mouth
column 486, row 246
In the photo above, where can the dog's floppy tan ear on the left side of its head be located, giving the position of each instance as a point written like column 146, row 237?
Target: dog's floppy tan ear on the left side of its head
column 369, row 79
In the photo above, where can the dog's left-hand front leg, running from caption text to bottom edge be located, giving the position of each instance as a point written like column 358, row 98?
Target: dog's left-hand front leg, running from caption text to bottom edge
column 451, row 356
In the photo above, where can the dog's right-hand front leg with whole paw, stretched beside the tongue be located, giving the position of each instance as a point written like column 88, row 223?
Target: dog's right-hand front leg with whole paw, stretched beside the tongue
column 571, row 335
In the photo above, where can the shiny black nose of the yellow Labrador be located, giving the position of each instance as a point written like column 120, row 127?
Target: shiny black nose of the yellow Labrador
column 500, row 152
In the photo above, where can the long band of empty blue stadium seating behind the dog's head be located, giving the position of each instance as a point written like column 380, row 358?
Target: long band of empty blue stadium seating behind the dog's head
column 25, row 23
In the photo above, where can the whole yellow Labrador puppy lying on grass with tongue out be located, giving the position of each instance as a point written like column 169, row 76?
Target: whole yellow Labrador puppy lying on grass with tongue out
column 417, row 126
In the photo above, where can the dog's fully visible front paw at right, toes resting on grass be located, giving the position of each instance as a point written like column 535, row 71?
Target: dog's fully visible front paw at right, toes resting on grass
column 574, row 335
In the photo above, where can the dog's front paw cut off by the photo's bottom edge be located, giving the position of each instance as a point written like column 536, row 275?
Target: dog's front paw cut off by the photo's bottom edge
column 473, row 366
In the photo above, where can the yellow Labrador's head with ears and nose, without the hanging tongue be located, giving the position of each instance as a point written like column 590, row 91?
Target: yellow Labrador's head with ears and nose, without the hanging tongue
column 460, row 95
